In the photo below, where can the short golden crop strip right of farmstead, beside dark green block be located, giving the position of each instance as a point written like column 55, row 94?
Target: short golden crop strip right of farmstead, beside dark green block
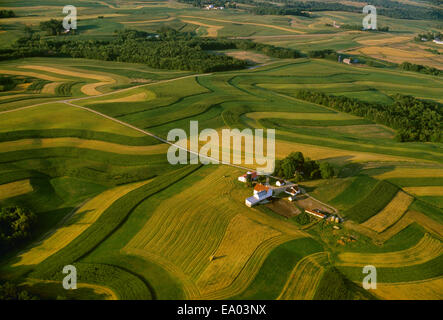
column 391, row 213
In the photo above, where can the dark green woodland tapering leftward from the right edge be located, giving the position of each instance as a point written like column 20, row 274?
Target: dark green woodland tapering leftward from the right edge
column 414, row 119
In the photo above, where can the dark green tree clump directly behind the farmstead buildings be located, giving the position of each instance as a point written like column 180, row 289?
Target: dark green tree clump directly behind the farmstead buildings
column 296, row 167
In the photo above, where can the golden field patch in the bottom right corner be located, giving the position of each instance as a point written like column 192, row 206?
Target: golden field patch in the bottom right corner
column 419, row 290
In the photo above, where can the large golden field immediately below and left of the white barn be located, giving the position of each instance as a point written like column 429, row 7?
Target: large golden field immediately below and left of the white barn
column 183, row 231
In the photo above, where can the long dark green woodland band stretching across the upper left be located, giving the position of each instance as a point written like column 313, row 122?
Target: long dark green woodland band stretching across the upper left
column 170, row 50
